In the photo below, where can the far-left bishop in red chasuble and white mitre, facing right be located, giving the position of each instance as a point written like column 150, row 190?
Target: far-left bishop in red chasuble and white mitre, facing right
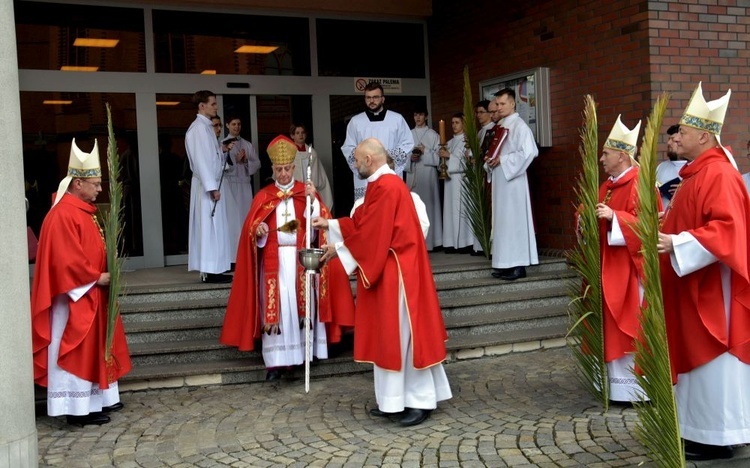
column 69, row 300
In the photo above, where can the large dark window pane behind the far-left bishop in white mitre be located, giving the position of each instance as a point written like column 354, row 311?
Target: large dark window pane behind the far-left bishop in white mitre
column 47, row 134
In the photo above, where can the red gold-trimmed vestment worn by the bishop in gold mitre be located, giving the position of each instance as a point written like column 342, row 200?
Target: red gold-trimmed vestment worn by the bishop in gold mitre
column 242, row 322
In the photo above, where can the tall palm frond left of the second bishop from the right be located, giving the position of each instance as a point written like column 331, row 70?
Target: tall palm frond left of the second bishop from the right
column 586, row 331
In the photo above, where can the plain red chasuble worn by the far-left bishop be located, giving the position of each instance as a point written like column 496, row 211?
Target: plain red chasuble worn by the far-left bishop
column 72, row 254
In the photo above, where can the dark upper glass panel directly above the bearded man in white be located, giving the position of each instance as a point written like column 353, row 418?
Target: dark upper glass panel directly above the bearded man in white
column 398, row 49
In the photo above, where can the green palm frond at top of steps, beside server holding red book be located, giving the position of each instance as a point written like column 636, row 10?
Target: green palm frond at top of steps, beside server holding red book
column 474, row 191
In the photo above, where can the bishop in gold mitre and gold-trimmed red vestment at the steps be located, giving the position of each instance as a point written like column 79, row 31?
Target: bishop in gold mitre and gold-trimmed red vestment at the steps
column 267, row 300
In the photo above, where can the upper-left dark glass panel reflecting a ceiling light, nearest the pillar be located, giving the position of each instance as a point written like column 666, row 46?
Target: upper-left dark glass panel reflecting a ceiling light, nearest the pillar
column 46, row 34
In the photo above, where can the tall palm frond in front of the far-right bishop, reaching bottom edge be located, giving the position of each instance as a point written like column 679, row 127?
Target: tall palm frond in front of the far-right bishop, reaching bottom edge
column 658, row 430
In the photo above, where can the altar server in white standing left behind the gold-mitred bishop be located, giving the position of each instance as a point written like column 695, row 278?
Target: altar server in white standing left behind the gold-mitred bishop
column 238, row 180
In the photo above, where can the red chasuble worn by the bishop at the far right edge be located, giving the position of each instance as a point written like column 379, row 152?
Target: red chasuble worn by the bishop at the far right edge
column 712, row 204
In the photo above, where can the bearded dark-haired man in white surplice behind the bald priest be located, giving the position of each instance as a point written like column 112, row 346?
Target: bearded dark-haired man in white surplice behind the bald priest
column 376, row 122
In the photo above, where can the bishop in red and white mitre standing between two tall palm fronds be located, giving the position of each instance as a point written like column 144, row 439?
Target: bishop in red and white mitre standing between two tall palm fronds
column 621, row 260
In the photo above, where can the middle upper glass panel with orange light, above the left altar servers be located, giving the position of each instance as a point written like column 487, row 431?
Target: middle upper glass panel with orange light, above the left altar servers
column 188, row 42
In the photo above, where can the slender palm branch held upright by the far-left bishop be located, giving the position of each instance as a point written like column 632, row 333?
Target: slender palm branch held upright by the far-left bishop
column 113, row 228
